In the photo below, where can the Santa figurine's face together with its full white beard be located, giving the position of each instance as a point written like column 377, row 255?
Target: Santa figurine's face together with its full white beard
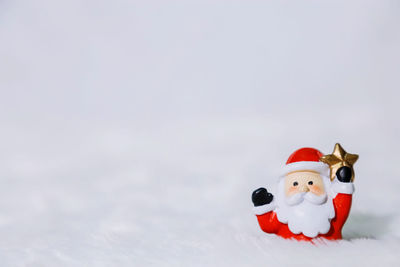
column 304, row 204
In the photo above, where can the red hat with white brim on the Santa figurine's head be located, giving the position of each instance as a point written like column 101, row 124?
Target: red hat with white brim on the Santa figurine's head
column 305, row 159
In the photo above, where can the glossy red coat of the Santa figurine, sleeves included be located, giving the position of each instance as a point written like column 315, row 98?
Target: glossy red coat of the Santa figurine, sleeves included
column 269, row 222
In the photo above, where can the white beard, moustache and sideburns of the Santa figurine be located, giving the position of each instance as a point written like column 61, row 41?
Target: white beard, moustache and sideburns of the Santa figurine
column 305, row 212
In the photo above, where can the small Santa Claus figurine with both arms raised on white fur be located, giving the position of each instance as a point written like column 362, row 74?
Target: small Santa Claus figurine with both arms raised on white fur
column 310, row 203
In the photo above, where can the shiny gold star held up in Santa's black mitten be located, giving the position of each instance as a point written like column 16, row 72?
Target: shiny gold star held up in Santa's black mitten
column 339, row 158
